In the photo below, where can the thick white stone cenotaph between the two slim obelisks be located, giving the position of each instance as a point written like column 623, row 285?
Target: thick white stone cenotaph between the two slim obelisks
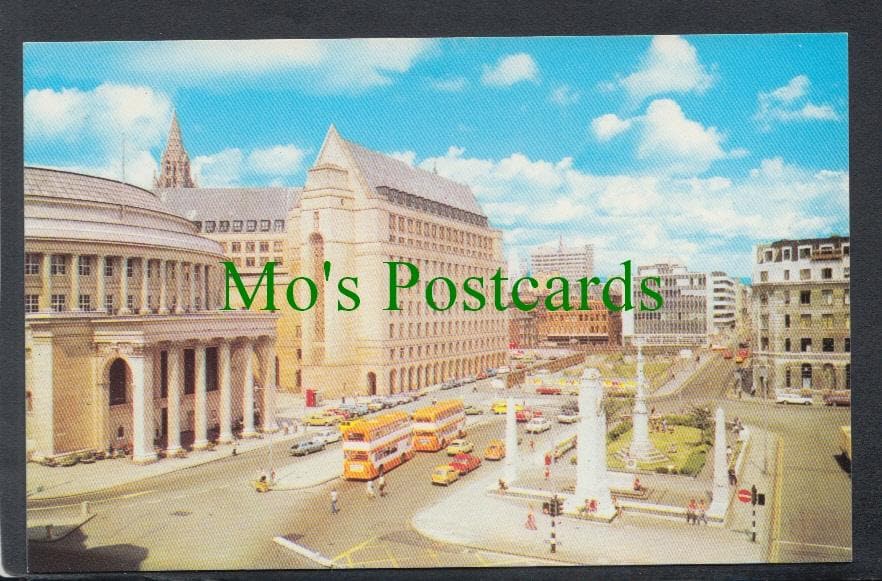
column 591, row 477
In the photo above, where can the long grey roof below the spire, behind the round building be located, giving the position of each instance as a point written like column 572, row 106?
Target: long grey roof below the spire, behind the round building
column 201, row 204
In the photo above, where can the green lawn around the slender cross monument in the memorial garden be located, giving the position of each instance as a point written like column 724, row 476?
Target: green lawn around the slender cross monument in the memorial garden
column 689, row 456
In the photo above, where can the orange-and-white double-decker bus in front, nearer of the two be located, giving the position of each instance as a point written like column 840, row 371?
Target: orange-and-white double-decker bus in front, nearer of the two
column 377, row 445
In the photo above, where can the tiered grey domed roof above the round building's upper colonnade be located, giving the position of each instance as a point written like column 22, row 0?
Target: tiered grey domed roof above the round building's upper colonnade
column 61, row 205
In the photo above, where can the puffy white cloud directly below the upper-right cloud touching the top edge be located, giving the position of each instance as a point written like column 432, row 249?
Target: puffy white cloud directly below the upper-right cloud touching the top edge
column 672, row 141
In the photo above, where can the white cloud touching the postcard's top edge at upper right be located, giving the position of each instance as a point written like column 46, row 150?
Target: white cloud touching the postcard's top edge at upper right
column 670, row 65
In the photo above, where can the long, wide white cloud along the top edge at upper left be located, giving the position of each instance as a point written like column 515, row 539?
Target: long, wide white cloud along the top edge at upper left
column 325, row 65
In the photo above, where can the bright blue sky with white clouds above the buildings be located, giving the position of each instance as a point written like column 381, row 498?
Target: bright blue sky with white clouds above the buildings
column 692, row 149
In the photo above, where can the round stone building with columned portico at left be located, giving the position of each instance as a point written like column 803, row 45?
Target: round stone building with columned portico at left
column 124, row 344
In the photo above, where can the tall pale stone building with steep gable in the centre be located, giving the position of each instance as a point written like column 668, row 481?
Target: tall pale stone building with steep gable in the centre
column 358, row 210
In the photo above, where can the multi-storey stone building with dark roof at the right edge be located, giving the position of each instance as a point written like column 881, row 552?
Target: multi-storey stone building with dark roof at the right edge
column 802, row 315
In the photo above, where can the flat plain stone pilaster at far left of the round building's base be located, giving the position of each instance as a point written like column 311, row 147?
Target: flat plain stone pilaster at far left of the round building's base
column 42, row 393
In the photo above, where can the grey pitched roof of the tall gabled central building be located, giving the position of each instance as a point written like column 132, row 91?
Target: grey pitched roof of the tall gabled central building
column 381, row 170
